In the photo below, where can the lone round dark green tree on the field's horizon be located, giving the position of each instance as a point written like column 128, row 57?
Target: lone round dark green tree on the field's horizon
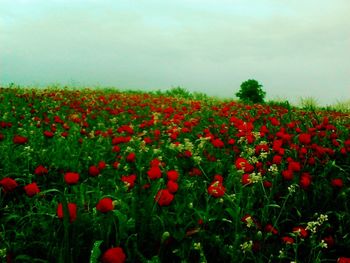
column 251, row 91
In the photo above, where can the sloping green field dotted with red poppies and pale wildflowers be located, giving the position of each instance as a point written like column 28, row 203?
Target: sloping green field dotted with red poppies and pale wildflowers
column 107, row 176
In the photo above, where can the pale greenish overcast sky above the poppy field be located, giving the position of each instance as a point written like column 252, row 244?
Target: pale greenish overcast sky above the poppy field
column 293, row 48
